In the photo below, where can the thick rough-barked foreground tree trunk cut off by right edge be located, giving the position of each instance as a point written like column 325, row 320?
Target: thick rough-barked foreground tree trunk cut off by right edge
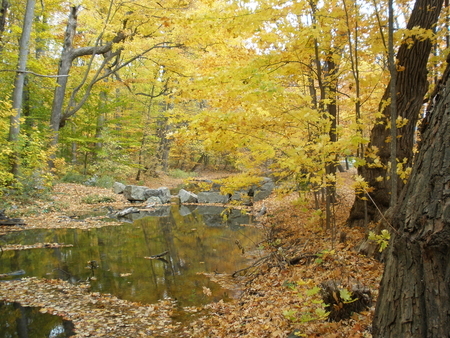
column 414, row 299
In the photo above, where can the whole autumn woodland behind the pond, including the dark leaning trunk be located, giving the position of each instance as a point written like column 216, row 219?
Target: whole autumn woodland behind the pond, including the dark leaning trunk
column 123, row 90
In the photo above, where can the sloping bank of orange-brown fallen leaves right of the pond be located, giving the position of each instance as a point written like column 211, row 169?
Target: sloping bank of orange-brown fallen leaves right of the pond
column 280, row 297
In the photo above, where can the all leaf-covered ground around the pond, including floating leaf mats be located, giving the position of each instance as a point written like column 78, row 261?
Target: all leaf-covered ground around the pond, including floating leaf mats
column 280, row 294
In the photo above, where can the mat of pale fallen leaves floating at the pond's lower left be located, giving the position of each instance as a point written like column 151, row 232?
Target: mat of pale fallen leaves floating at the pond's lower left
column 94, row 314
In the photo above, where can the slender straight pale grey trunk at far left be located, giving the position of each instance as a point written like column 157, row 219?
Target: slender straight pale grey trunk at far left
column 14, row 129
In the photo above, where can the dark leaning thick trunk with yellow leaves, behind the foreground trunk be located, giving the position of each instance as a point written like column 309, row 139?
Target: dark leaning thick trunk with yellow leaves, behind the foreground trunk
column 411, row 87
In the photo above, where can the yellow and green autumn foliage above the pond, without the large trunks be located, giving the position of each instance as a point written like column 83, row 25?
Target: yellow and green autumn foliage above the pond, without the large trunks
column 286, row 87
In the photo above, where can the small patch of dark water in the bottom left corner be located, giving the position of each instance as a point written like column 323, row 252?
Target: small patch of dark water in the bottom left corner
column 18, row 321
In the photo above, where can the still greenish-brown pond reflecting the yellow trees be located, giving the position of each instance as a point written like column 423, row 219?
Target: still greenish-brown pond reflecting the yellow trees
column 113, row 257
